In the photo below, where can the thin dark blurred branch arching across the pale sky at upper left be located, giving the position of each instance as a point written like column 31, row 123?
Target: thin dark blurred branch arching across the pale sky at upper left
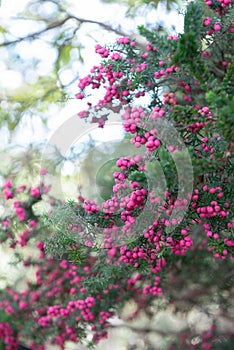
column 59, row 24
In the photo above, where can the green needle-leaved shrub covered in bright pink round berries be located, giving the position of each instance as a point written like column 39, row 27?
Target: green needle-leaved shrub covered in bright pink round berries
column 165, row 237
